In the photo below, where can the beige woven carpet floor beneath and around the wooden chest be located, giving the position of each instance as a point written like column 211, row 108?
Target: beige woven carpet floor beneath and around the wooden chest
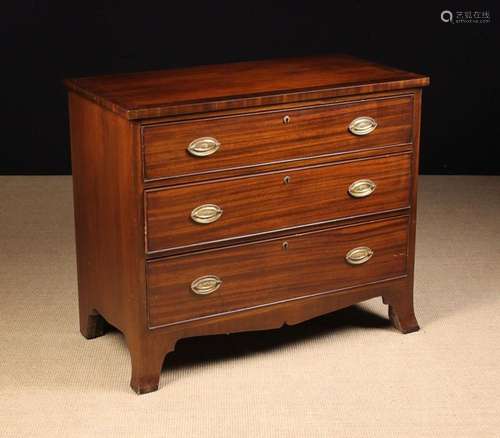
column 347, row 374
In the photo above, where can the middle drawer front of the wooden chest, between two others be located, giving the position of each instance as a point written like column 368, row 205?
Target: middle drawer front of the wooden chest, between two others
column 208, row 212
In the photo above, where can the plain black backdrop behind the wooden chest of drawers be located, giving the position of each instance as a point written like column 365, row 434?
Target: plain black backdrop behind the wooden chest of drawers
column 44, row 41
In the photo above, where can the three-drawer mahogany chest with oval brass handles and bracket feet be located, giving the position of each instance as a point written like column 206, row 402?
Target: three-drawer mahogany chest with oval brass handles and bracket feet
column 241, row 197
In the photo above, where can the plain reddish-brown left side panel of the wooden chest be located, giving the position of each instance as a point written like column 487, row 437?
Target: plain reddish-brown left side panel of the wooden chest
column 109, row 237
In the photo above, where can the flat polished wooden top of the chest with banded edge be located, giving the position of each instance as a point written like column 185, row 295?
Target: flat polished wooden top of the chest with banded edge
column 238, row 85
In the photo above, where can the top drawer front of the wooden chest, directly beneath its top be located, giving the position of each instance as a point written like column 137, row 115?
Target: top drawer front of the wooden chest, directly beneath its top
column 249, row 140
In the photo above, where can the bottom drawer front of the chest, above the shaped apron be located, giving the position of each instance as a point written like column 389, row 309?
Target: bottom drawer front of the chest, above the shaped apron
column 213, row 282
